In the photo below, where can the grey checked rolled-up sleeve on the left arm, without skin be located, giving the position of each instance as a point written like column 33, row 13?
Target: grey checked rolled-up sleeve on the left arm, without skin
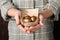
column 5, row 5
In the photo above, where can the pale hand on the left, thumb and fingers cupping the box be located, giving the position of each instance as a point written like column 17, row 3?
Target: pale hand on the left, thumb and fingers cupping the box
column 17, row 18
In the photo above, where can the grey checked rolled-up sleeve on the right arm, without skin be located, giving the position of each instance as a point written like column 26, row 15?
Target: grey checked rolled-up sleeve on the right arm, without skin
column 55, row 7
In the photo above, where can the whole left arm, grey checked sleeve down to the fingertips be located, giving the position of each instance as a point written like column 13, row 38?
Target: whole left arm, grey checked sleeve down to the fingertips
column 8, row 9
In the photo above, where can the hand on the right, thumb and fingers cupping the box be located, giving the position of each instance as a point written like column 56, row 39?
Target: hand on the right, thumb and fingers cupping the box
column 32, row 29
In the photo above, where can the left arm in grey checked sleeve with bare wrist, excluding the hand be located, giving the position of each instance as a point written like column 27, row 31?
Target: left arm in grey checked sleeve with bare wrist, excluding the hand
column 7, row 9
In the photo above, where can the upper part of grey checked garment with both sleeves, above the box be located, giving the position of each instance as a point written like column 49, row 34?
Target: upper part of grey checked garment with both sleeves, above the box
column 6, row 4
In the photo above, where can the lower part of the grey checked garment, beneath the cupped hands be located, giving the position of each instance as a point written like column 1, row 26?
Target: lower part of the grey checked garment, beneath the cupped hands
column 44, row 33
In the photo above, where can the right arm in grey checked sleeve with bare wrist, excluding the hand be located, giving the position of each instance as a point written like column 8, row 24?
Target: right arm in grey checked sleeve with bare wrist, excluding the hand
column 52, row 8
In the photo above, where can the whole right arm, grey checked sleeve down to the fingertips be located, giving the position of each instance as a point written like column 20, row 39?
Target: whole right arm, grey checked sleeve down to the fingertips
column 52, row 8
